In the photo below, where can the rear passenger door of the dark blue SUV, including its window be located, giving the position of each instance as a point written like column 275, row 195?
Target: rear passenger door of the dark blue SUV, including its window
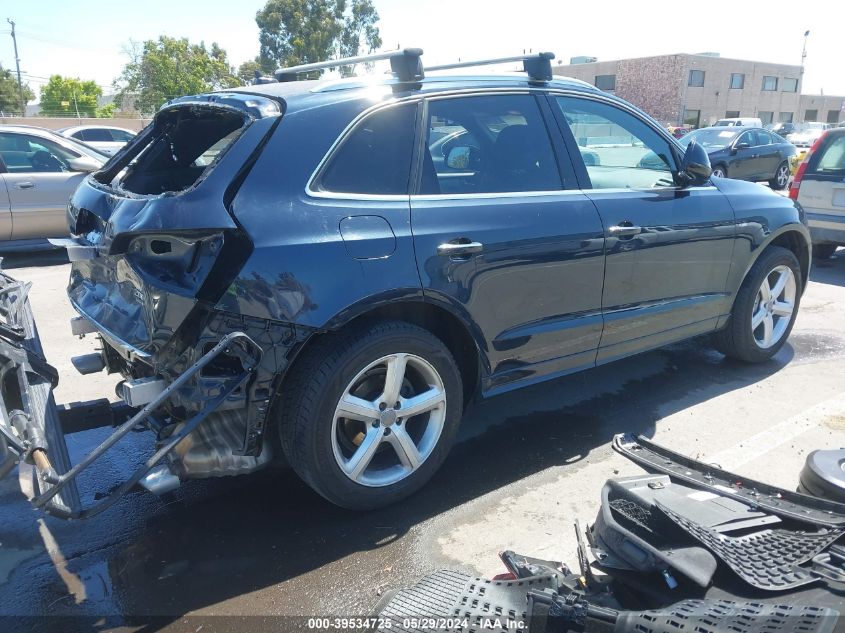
column 509, row 242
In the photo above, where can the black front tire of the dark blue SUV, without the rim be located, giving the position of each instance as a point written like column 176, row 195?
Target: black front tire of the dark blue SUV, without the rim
column 736, row 339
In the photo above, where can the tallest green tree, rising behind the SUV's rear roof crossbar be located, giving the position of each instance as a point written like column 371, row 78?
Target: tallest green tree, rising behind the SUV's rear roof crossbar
column 307, row 31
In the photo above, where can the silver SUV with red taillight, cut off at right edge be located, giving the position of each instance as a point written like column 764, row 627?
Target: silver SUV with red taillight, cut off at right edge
column 819, row 186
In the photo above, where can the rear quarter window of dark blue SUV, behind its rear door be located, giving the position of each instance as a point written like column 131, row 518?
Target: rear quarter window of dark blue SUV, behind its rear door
column 375, row 158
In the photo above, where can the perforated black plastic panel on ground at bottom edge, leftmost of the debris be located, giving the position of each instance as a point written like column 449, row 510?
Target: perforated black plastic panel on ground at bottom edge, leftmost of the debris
column 456, row 597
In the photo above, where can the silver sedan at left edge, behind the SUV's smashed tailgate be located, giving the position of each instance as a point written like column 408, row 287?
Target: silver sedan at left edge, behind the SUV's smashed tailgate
column 39, row 170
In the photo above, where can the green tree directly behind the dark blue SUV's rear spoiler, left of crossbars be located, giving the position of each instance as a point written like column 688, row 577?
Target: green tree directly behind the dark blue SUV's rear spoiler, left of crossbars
column 160, row 70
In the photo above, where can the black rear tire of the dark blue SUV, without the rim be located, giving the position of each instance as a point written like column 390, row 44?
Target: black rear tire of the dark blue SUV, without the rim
column 313, row 389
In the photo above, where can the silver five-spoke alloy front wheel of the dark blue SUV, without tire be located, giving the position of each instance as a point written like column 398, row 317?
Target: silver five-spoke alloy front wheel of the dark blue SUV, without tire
column 773, row 306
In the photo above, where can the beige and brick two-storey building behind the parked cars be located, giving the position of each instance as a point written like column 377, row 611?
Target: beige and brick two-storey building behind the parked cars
column 697, row 90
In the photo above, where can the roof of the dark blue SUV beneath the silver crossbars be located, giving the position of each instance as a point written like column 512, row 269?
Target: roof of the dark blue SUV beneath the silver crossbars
column 310, row 93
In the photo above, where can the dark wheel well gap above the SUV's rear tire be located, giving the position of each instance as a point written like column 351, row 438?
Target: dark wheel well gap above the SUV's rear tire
column 442, row 323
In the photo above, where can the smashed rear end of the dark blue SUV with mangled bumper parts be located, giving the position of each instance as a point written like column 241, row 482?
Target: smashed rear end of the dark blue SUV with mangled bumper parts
column 153, row 247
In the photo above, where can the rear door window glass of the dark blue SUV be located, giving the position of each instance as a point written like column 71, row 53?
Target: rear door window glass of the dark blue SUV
column 487, row 144
